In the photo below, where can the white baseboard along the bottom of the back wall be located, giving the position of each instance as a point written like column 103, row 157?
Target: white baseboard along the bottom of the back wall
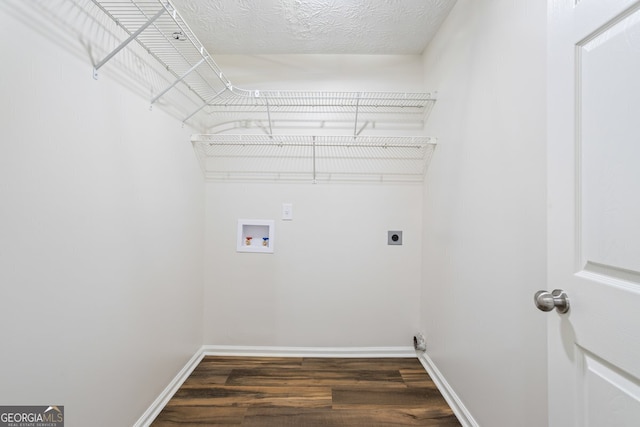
column 265, row 351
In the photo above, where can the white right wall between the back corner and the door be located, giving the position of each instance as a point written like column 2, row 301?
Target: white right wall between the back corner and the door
column 484, row 212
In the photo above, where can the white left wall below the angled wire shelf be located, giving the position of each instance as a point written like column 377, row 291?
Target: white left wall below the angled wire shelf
column 101, row 238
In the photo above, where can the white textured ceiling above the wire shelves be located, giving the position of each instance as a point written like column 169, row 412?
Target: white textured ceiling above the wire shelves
column 251, row 27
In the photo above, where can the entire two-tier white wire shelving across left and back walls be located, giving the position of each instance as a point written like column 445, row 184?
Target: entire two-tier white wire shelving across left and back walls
column 148, row 46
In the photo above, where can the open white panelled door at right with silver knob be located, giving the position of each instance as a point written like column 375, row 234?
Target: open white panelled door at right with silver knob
column 594, row 211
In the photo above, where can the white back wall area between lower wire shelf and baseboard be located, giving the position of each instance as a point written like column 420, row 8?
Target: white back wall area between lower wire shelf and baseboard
column 332, row 280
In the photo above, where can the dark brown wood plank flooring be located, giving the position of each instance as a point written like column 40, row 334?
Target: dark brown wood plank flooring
column 307, row 392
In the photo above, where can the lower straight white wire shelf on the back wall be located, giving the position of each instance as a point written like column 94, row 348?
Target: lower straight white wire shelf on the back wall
column 313, row 158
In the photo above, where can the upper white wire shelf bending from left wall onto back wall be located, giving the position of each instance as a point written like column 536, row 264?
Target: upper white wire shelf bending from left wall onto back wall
column 160, row 29
